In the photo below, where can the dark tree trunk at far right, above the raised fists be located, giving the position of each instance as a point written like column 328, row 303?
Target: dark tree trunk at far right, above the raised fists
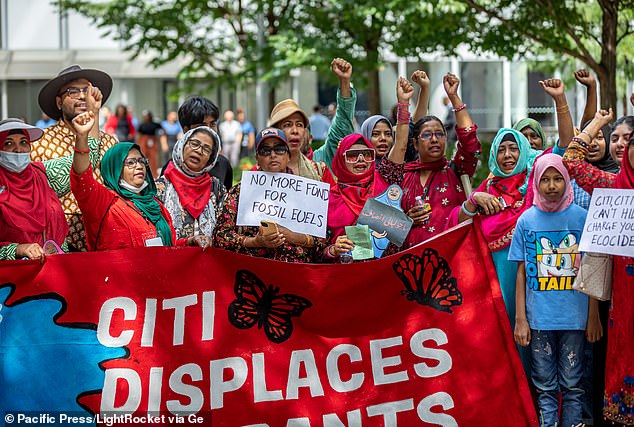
column 607, row 77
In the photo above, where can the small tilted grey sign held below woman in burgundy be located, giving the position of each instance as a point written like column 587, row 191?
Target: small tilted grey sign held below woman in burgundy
column 387, row 220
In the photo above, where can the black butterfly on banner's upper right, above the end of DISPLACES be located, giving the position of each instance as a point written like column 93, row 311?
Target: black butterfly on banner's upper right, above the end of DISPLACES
column 427, row 280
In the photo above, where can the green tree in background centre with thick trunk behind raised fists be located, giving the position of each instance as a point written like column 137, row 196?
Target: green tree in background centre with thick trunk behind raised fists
column 360, row 30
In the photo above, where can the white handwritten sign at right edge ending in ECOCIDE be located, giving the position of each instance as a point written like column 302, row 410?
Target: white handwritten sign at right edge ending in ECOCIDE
column 609, row 227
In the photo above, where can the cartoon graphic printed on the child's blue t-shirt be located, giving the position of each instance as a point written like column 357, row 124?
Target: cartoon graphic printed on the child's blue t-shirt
column 556, row 262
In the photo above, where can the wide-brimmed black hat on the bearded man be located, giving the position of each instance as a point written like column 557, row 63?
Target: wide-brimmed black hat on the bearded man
column 51, row 89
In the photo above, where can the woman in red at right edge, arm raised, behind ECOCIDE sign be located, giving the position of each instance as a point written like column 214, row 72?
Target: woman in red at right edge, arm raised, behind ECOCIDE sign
column 619, row 373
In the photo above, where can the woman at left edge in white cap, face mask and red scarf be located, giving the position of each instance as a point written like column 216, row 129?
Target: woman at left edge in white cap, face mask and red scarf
column 30, row 212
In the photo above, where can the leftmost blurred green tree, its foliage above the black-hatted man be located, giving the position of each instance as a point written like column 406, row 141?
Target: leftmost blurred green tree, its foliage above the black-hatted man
column 219, row 42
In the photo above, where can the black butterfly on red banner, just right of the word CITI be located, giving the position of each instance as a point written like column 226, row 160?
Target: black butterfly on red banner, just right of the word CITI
column 257, row 303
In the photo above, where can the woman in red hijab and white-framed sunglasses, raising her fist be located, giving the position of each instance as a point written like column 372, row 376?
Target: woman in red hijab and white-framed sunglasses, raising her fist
column 358, row 179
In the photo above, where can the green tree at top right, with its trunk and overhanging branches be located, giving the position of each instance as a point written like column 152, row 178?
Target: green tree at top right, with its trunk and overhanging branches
column 597, row 33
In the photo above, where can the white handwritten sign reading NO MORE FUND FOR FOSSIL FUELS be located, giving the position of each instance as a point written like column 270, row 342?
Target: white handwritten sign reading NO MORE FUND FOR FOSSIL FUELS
column 299, row 204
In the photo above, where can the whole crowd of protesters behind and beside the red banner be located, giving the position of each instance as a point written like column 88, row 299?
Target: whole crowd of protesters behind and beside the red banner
column 91, row 180
